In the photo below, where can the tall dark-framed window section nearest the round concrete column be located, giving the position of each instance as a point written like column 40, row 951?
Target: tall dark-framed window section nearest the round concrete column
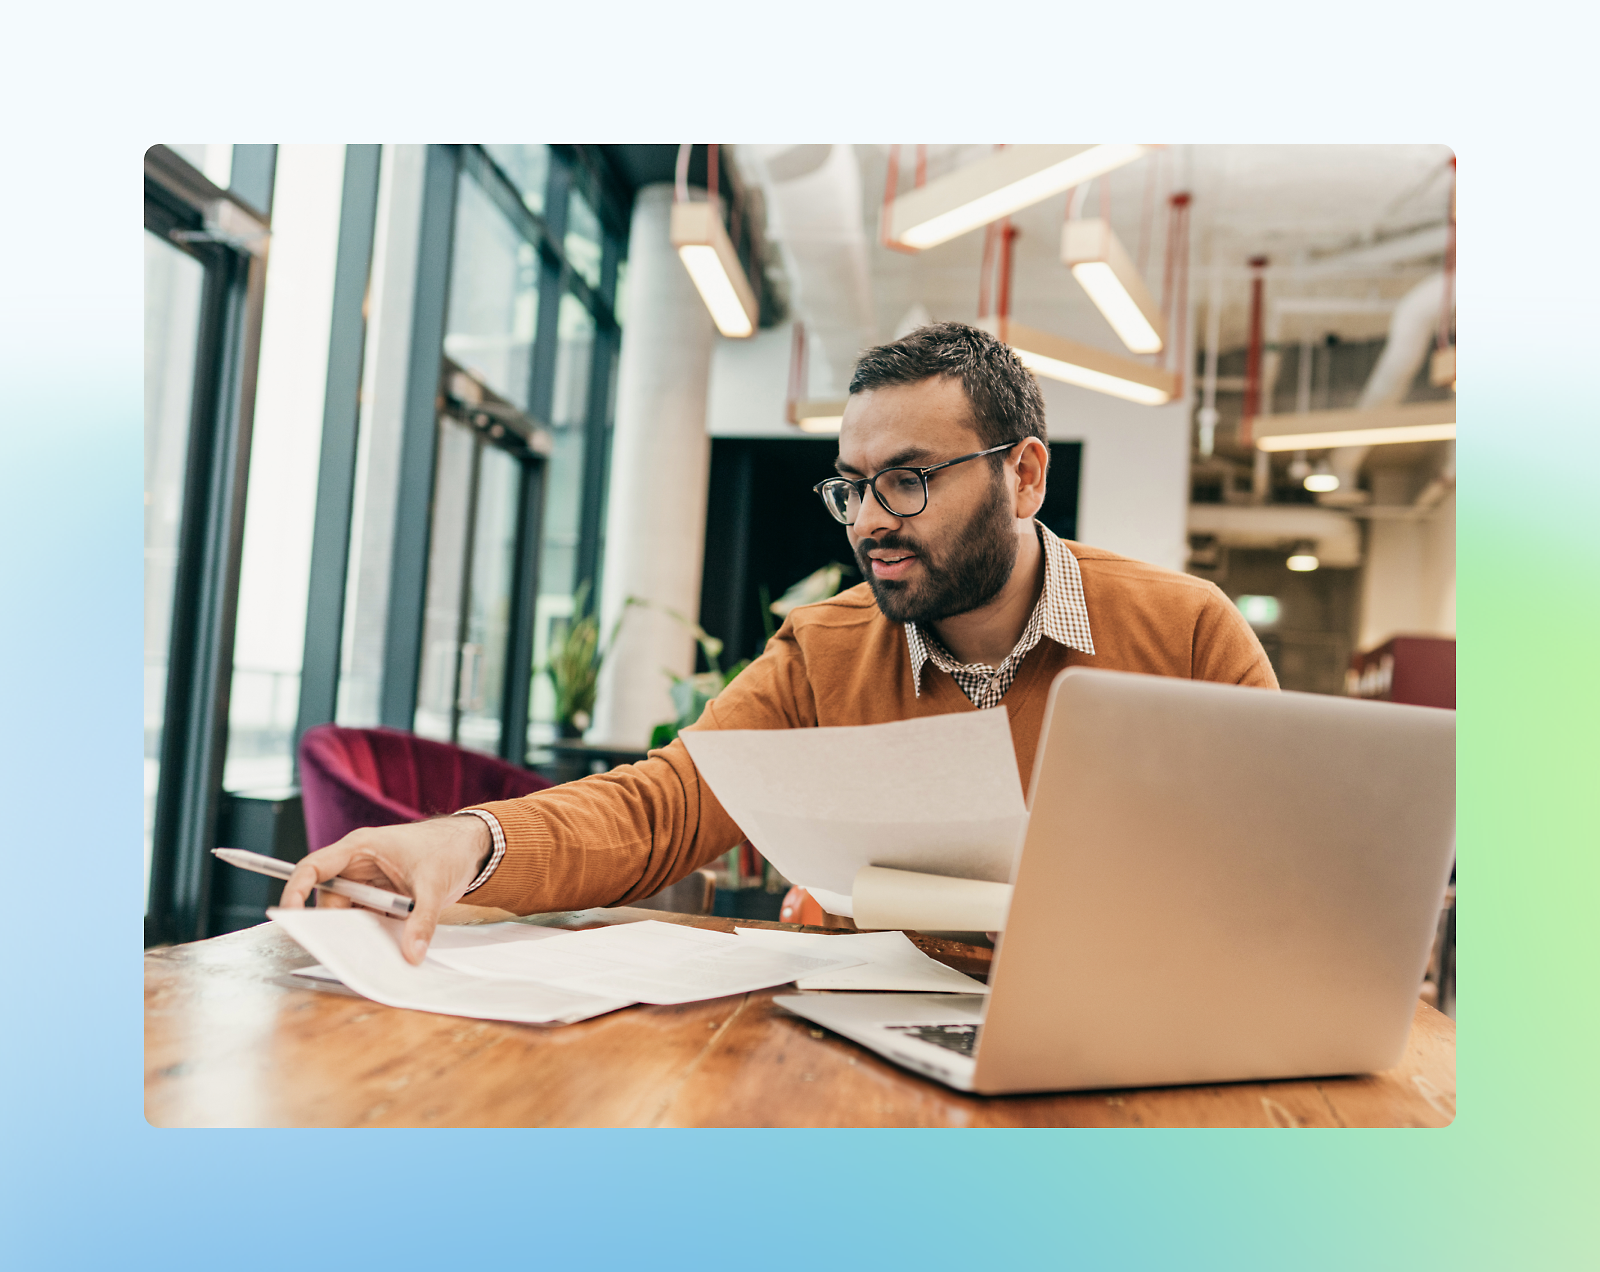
column 516, row 521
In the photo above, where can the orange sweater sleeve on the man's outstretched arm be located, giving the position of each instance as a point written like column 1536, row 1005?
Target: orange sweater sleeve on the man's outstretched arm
column 626, row 834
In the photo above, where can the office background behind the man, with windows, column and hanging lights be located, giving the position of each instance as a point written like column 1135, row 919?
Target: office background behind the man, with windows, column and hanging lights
column 425, row 420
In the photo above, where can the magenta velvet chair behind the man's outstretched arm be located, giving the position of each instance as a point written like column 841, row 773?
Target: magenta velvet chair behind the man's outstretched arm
column 383, row 777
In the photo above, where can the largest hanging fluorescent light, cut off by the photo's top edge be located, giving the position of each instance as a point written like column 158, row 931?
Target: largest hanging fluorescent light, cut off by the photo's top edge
column 998, row 186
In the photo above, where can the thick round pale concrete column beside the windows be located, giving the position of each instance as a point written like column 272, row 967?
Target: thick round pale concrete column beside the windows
column 660, row 476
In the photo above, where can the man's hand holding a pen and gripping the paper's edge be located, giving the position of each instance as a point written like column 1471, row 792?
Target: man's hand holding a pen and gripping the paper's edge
column 431, row 862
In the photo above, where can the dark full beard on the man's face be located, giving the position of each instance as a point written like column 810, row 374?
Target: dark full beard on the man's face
column 970, row 574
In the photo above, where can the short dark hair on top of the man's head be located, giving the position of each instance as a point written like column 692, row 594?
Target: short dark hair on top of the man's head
column 1004, row 394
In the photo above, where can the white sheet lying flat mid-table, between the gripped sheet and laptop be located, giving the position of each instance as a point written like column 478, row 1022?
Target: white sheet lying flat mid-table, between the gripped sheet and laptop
column 650, row 962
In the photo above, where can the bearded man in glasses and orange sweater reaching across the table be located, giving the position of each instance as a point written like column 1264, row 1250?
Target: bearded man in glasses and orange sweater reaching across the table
column 969, row 602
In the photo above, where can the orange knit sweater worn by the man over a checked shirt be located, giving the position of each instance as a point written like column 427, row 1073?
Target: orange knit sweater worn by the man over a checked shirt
column 626, row 834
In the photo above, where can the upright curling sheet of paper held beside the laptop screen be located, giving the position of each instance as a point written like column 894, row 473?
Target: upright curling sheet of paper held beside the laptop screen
column 938, row 794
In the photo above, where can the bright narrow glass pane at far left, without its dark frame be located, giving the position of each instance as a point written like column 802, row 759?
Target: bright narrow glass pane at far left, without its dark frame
column 174, row 286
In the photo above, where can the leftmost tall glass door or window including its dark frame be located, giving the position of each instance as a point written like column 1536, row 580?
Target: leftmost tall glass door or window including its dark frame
column 204, row 292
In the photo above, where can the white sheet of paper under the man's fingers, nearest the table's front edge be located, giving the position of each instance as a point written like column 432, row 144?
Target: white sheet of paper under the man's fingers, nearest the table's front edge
column 362, row 951
